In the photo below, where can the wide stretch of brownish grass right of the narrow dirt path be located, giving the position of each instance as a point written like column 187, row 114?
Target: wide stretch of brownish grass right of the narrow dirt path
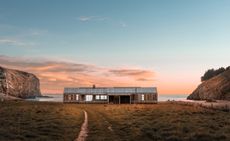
column 157, row 122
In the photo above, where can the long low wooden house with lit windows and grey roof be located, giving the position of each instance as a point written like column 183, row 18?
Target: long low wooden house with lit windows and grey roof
column 110, row 95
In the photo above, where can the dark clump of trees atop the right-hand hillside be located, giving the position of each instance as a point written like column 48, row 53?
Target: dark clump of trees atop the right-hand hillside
column 212, row 72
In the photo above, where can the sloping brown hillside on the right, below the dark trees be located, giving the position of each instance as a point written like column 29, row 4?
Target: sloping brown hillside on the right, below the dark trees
column 216, row 88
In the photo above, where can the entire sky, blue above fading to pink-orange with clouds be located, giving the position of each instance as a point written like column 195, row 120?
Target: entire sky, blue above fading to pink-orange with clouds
column 168, row 44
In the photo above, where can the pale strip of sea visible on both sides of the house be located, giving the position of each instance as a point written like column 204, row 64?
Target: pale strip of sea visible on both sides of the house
column 59, row 97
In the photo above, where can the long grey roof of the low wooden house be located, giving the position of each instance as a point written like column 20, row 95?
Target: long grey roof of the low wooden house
column 110, row 90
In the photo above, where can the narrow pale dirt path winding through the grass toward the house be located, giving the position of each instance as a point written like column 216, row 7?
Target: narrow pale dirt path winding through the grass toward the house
column 84, row 129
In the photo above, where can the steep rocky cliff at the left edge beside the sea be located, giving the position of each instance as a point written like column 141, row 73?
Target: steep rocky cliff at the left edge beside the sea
column 19, row 84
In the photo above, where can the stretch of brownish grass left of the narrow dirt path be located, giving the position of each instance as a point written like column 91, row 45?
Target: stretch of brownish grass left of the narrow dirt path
column 39, row 121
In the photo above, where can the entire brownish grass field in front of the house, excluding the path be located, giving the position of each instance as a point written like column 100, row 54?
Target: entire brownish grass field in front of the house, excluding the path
column 163, row 121
